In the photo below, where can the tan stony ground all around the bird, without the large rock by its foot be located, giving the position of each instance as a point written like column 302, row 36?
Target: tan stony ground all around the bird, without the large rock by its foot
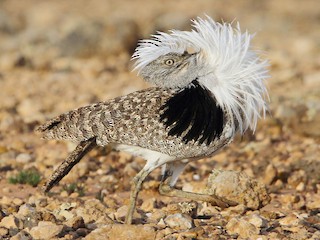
column 59, row 55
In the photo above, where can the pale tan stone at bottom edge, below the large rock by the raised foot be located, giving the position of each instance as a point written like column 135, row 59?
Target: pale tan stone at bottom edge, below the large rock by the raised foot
column 242, row 227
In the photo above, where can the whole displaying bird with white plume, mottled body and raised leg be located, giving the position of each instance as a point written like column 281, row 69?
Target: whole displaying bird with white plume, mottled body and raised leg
column 209, row 85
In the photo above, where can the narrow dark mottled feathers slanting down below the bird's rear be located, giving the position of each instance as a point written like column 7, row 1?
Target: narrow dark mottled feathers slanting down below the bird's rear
column 82, row 149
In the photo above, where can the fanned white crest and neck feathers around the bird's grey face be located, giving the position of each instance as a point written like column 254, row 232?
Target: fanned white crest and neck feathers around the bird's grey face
column 235, row 74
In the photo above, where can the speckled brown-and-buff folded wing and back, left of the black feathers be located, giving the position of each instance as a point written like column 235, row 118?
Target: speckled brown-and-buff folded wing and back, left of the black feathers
column 127, row 119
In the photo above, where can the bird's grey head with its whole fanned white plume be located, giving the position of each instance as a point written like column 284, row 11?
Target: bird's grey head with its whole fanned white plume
column 219, row 57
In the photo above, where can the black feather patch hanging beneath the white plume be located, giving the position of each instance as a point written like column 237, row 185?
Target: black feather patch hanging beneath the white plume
column 195, row 112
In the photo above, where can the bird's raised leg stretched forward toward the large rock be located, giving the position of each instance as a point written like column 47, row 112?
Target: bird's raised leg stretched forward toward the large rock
column 167, row 189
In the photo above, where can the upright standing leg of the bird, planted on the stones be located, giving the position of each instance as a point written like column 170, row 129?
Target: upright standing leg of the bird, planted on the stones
column 135, row 188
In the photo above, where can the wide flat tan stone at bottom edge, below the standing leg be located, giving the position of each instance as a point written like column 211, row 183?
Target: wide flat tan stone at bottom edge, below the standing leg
column 123, row 232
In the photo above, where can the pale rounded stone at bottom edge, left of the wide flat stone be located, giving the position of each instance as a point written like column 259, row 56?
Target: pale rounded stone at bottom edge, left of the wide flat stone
column 47, row 229
